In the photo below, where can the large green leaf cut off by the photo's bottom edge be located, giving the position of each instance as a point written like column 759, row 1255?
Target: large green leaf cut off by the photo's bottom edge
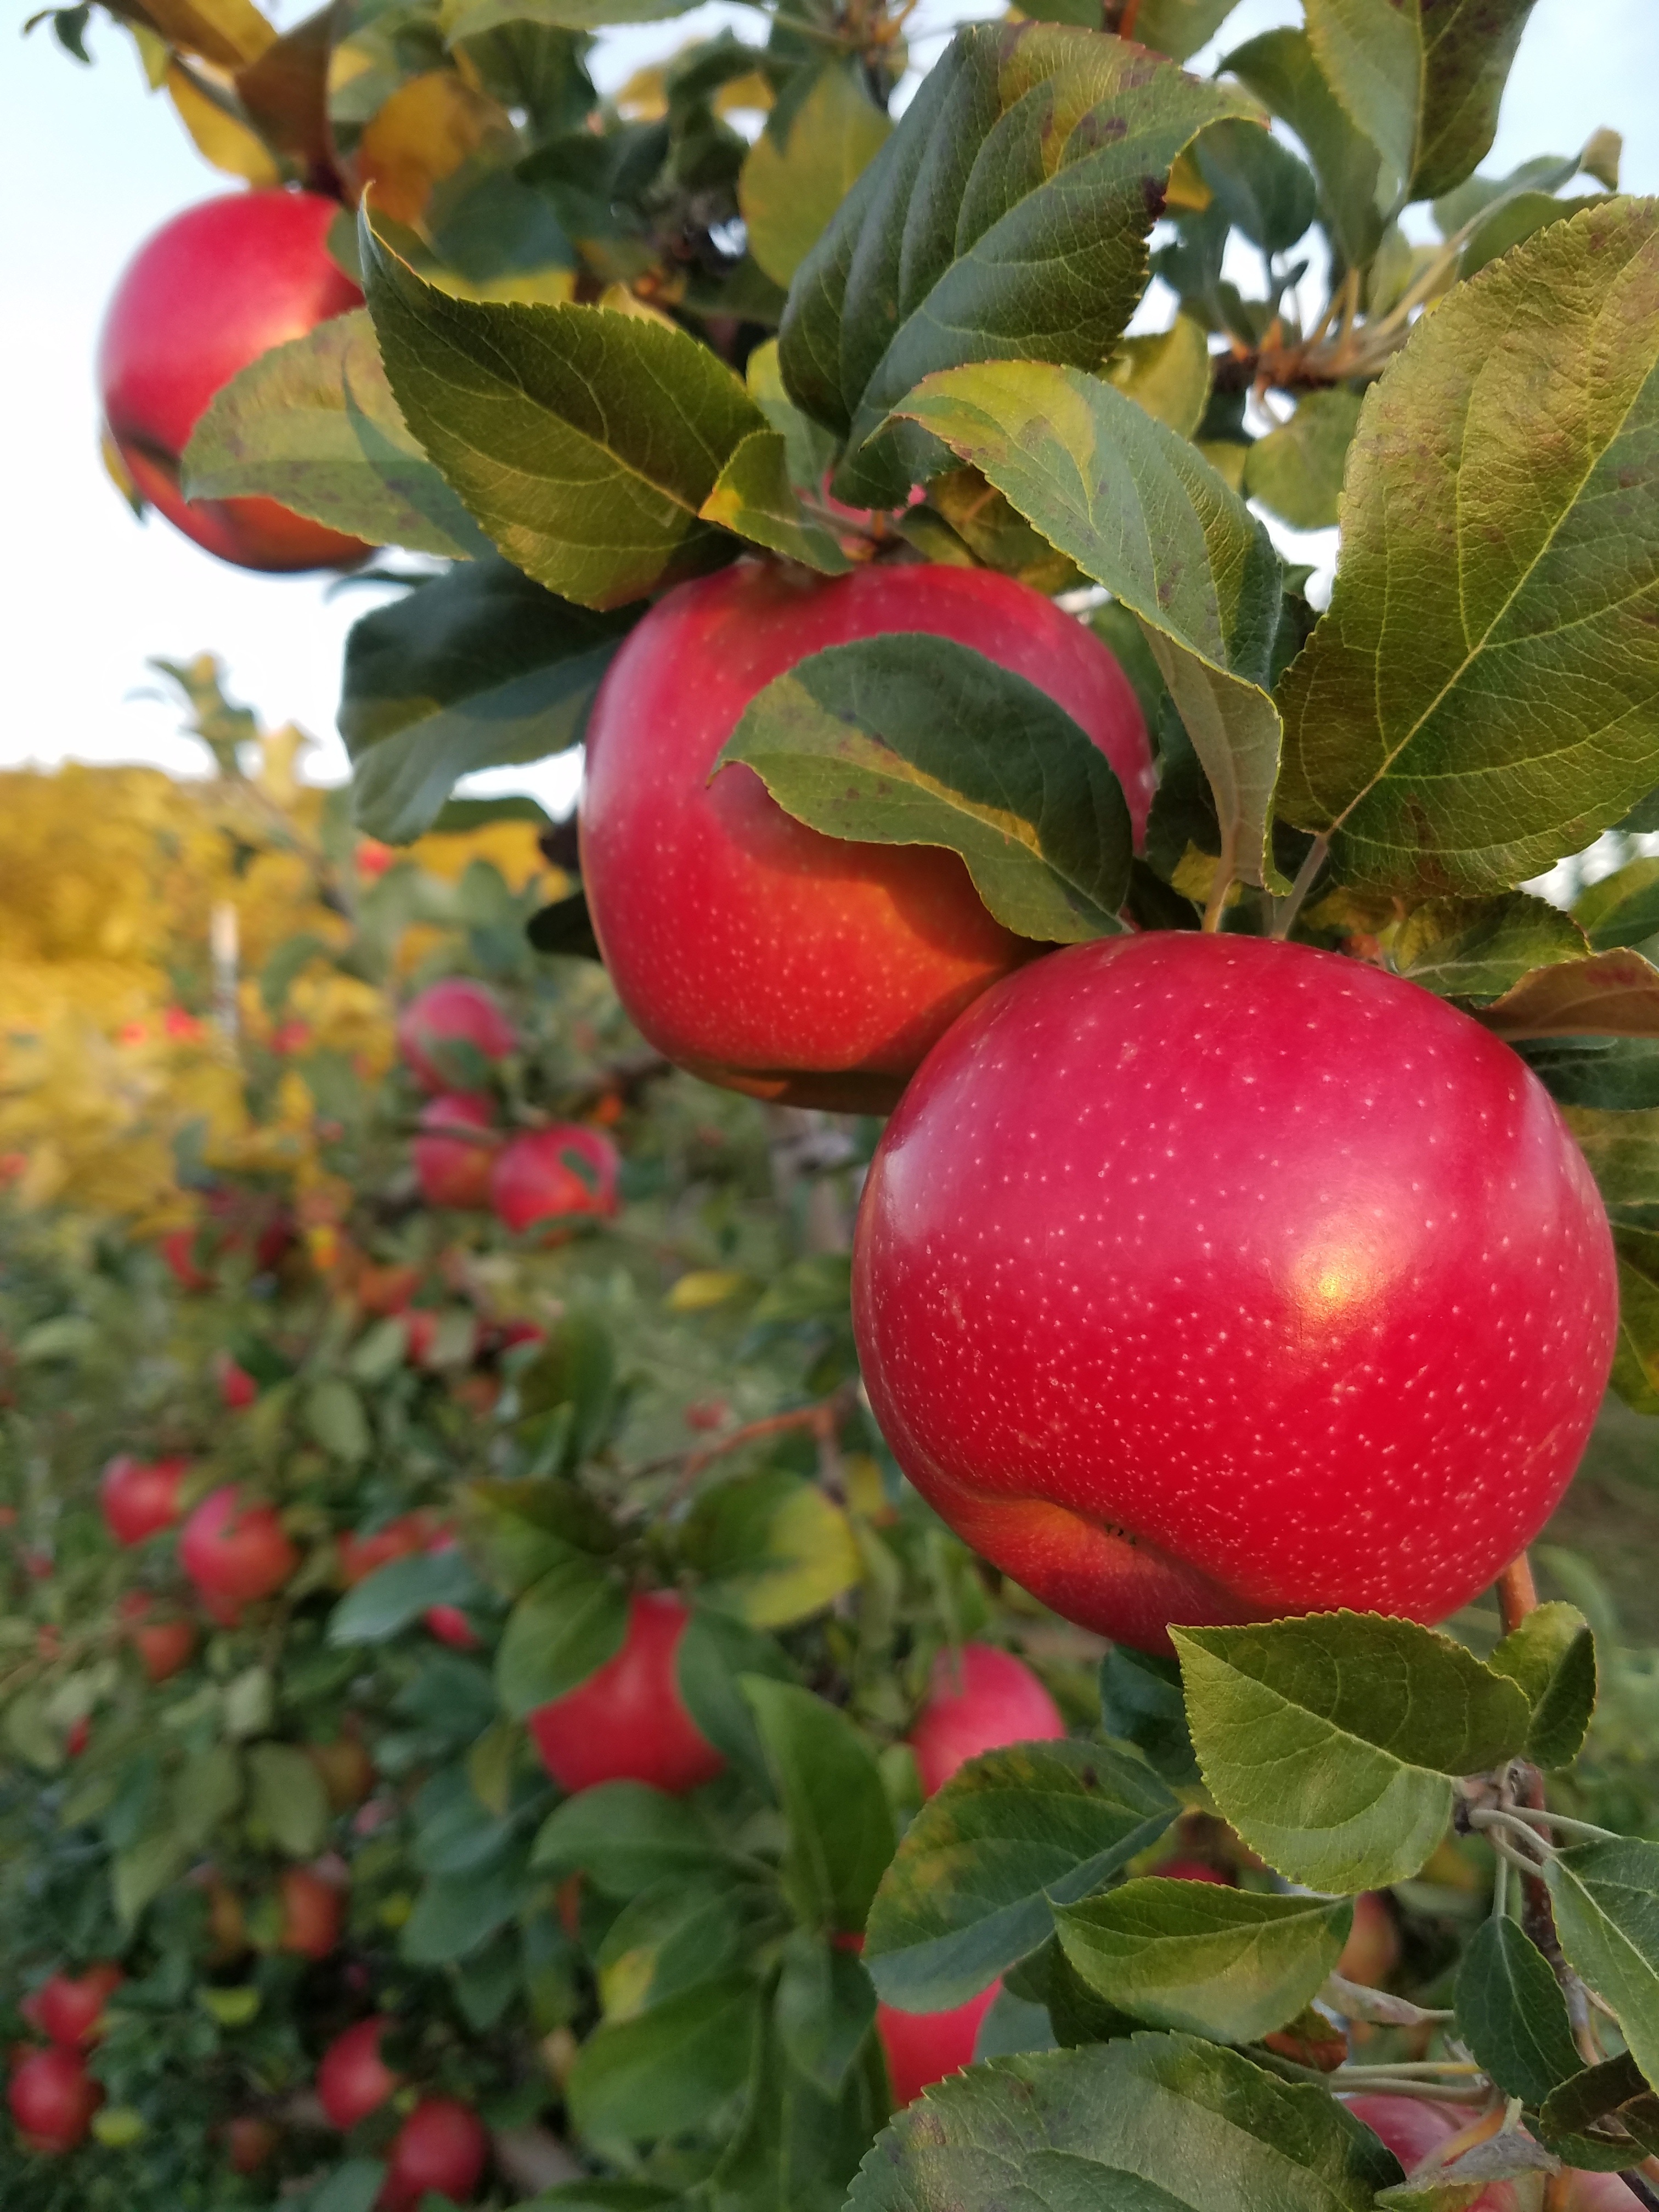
column 1151, row 2125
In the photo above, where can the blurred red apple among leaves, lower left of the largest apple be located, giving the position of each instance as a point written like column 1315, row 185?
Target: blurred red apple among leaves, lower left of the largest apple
column 629, row 1722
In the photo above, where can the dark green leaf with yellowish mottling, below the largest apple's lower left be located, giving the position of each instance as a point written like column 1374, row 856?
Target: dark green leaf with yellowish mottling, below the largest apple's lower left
column 988, row 1859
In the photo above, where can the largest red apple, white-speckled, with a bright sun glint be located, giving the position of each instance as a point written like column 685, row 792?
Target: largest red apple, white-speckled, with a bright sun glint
column 1211, row 1280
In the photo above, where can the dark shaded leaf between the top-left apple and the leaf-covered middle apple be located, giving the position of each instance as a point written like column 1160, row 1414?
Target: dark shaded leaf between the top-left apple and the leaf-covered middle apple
column 474, row 669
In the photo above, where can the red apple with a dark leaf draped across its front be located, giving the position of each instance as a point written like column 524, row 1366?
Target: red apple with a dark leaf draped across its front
column 753, row 950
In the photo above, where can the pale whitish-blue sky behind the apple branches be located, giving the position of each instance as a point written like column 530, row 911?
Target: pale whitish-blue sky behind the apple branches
column 94, row 165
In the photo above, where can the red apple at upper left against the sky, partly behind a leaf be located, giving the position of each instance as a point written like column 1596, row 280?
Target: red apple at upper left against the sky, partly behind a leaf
column 209, row 293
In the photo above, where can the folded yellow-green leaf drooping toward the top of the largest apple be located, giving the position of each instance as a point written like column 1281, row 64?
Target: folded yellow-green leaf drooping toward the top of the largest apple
column 1140, row 512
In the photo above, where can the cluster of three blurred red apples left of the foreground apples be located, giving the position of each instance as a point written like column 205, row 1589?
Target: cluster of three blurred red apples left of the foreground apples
column 536, row 1180
